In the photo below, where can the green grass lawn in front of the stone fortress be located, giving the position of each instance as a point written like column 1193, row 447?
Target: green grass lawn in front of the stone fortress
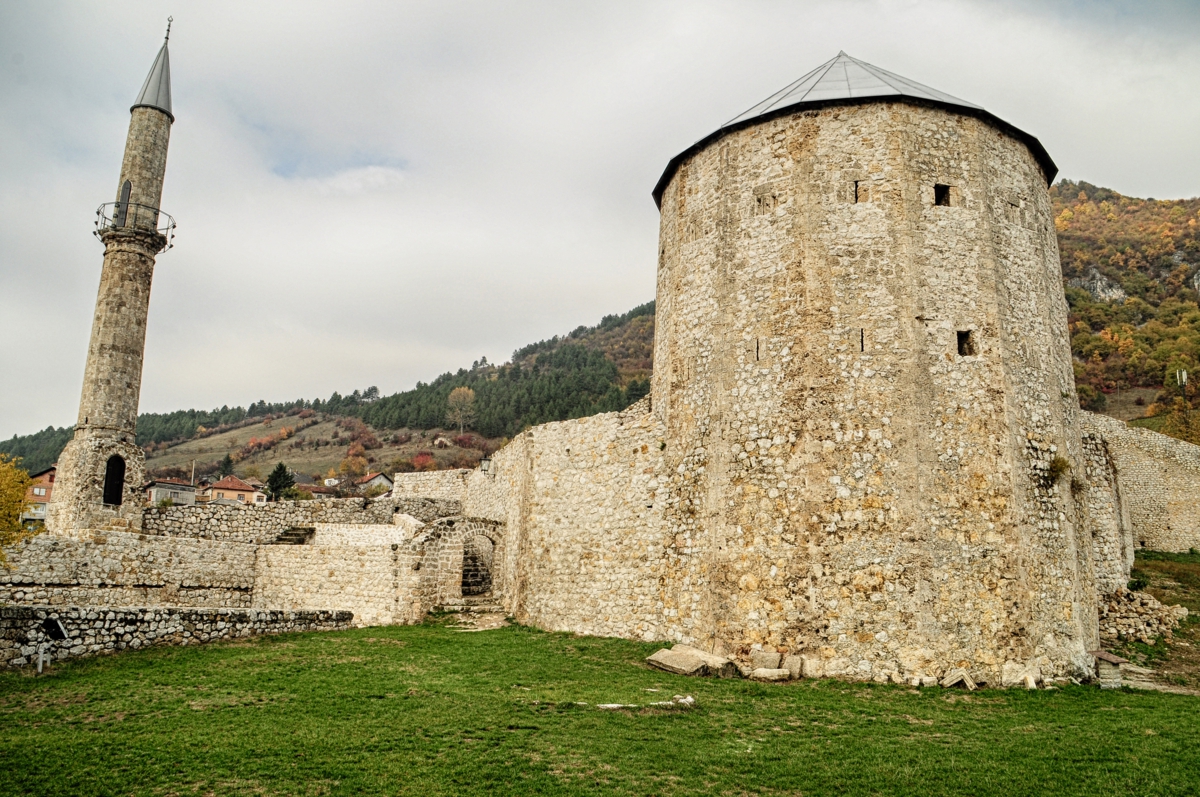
column 429, row 711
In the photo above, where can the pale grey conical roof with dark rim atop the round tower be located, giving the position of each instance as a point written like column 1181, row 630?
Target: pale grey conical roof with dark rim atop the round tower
column 848, row 81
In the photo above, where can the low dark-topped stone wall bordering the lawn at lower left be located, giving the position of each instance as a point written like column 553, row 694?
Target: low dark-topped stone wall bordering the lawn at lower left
column 92, row 632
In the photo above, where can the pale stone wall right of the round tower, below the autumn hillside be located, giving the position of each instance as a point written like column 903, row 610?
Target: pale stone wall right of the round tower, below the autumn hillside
column 1160, row 482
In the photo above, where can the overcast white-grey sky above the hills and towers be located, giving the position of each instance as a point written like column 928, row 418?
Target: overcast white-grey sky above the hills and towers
column 377, row 193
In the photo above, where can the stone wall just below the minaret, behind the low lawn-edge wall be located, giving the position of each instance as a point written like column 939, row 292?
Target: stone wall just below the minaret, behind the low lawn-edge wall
column 125, row 570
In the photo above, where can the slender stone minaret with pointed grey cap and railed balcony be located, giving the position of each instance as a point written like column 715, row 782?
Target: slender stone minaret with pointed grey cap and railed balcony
column 103, row 469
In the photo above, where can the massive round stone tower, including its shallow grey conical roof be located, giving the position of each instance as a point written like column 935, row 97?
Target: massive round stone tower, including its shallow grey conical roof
column 863, row 373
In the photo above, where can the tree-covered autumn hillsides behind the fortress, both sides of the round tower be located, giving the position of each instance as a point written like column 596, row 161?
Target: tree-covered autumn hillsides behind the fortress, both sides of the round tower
column 1131, row 271
